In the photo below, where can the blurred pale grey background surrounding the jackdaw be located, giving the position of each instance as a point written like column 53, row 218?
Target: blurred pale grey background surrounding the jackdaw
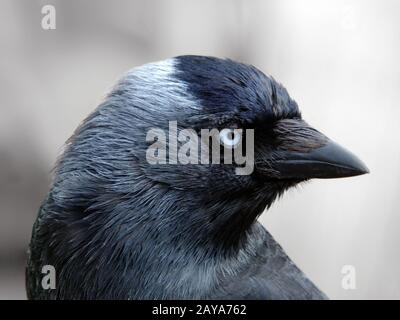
column 338, row 59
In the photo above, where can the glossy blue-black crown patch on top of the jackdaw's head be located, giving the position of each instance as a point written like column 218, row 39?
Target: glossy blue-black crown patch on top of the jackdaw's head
column 235, row 91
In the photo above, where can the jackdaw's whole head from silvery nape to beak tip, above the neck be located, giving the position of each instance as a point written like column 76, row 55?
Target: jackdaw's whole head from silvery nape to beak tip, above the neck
column 106, row 165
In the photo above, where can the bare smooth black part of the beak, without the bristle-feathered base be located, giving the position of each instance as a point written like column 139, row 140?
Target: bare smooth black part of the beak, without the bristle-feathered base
column 328, row 161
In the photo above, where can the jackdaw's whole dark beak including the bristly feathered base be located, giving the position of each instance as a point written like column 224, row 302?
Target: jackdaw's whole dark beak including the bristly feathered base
column 305, row 153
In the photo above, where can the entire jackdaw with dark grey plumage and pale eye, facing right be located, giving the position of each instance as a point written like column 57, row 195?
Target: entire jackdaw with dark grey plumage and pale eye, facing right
column 116, row 226
